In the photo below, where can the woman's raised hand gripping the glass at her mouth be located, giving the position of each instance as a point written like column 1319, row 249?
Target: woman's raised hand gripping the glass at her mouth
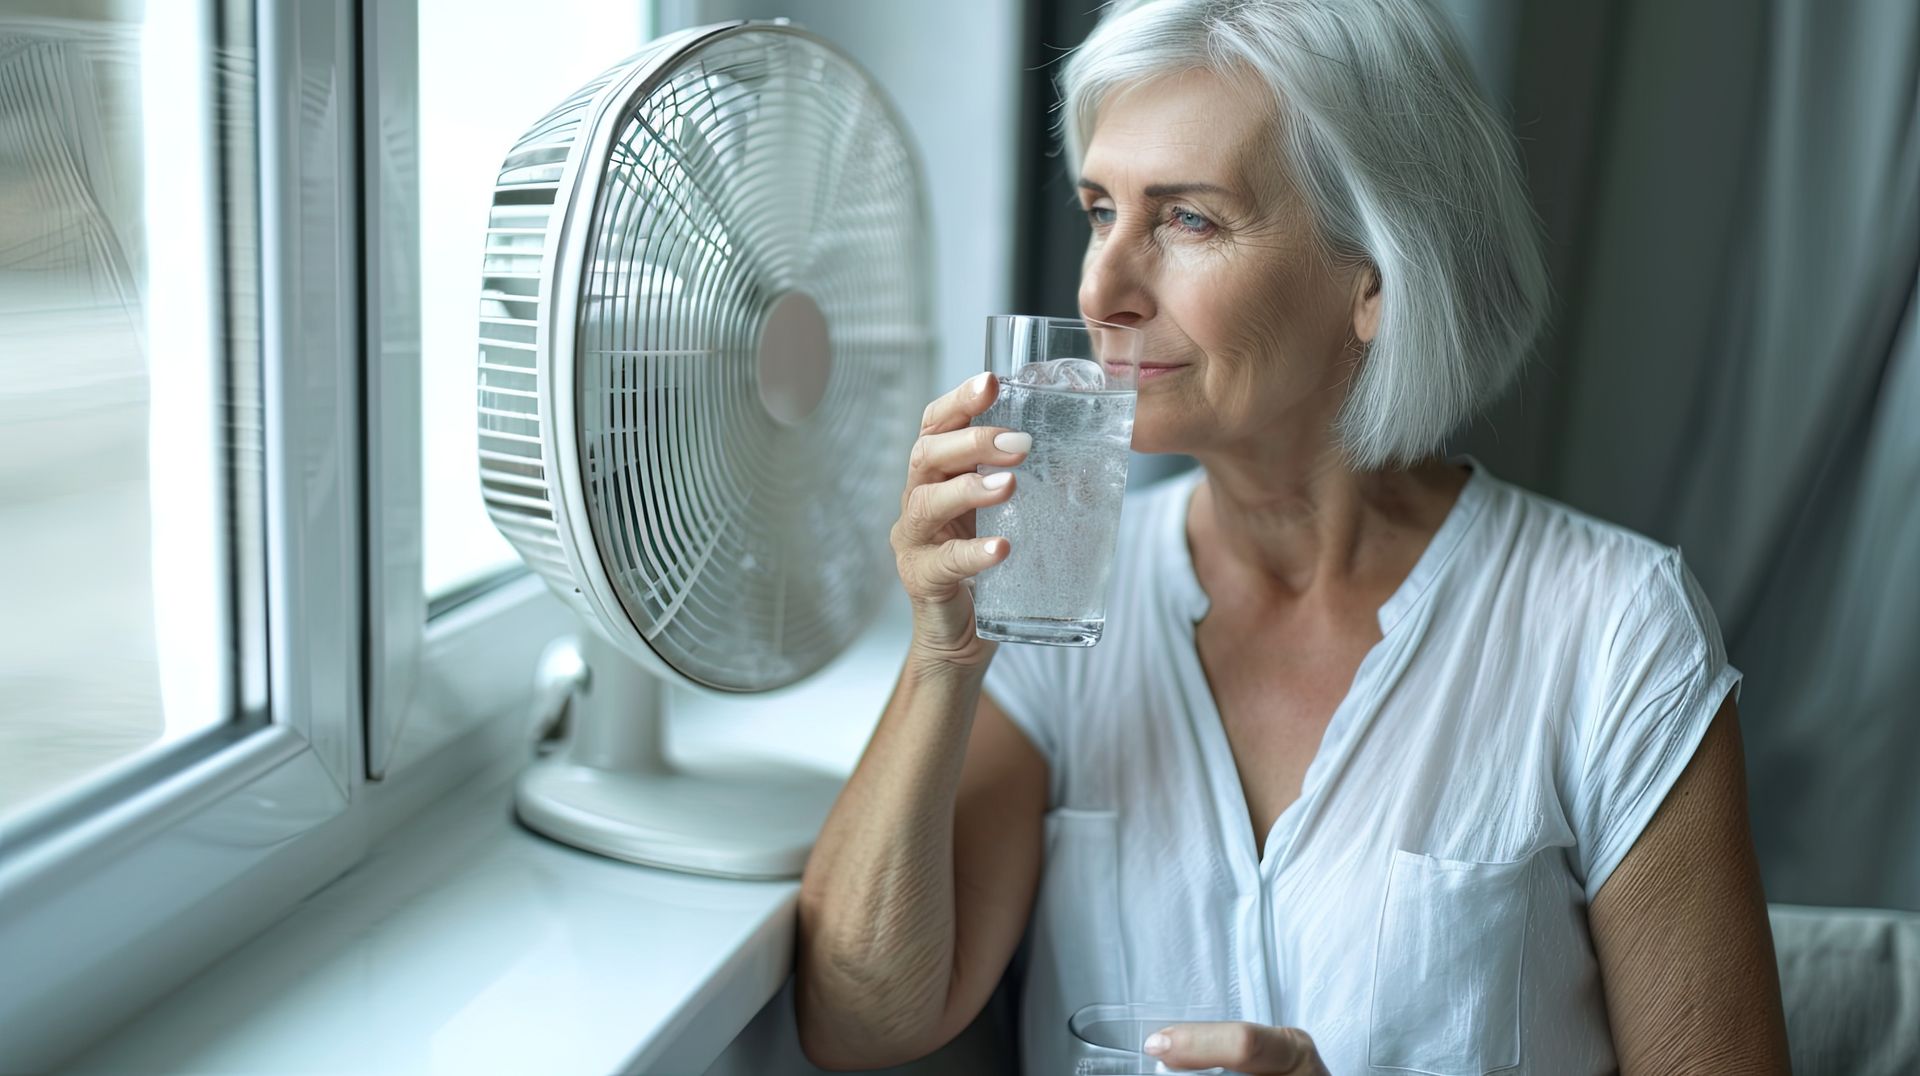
column 934, row 541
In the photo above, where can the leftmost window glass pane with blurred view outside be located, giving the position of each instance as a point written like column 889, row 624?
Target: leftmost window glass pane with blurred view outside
column 114, row 627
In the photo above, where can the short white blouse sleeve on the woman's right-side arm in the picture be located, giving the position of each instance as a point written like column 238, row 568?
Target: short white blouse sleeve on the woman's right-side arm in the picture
column 1662, row 681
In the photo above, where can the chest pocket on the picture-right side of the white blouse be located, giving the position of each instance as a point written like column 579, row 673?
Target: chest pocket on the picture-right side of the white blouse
column 1447, row 969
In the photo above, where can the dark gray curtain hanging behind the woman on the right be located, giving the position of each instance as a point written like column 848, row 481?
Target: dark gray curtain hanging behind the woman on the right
column 1733, row 193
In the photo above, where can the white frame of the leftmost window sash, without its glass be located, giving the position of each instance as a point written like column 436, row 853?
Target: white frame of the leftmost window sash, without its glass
column 180, row 856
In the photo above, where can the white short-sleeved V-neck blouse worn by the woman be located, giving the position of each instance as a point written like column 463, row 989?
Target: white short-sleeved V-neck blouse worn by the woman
column 1543, row 681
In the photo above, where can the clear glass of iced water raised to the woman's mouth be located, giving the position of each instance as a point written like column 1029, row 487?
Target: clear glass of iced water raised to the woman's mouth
column 1070, row 385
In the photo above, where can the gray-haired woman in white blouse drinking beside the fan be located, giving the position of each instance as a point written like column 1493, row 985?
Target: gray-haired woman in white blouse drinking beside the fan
column 1401, row 766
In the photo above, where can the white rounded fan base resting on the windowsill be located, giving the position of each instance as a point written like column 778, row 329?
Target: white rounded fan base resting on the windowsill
column 742, row 823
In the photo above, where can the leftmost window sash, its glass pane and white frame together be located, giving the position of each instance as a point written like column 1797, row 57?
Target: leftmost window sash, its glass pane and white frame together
column 181, row 589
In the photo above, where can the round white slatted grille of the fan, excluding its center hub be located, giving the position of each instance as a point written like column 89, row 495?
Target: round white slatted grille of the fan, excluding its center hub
column 759, row 166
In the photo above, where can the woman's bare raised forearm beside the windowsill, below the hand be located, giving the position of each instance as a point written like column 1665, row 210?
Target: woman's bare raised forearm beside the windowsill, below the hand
column 876, row 925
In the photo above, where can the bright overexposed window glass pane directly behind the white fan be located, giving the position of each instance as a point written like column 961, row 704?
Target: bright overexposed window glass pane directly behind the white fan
column 489, row 70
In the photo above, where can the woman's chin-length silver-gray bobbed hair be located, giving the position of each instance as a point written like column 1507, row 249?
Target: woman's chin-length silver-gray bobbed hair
column 1403, row 166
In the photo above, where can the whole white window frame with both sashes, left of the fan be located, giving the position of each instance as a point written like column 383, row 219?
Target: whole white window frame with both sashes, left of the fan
column 181, row 856
